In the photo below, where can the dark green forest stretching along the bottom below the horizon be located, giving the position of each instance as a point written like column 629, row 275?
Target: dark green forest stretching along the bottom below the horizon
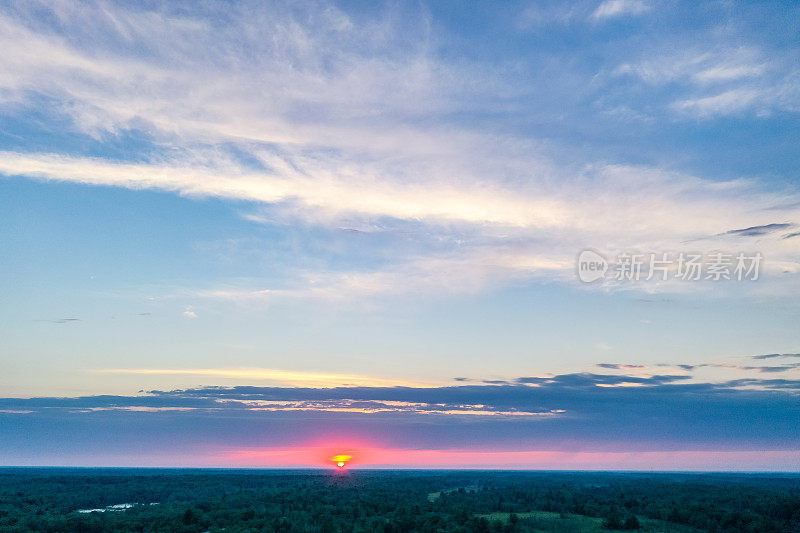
column 143, row 500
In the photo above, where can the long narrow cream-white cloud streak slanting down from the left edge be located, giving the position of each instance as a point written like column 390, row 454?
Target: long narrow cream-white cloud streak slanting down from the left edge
column 316, row 189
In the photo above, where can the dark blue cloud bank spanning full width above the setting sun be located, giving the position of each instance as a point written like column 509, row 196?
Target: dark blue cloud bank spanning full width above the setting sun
column 582, row 411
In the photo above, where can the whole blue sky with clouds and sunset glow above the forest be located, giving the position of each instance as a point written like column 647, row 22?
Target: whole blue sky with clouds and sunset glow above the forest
column 266, row 233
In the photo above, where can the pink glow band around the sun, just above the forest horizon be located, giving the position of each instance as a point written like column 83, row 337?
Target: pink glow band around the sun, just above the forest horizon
column 376, row 457
